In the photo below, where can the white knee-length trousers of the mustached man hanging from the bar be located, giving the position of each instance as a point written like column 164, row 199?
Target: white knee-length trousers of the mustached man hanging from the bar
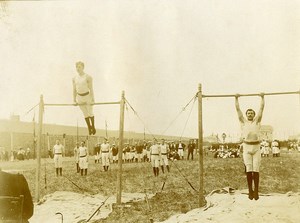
column 251, row 157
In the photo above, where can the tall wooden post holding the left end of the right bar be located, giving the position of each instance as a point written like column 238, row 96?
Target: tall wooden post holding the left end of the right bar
column 200, row 147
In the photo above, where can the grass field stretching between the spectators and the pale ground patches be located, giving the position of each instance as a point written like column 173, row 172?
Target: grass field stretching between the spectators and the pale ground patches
column 277, row 175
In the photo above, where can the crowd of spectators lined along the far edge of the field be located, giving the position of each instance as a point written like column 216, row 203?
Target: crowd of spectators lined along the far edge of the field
column 139, row 151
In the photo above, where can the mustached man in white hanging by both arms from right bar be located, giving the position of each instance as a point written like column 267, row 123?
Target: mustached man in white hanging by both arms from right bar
column 251, row 147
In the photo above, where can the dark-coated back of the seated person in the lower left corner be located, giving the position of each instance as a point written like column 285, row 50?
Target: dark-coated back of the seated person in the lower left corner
column 15, row 185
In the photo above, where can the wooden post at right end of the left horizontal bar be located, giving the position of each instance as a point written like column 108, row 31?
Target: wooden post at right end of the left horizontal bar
column 120, row 149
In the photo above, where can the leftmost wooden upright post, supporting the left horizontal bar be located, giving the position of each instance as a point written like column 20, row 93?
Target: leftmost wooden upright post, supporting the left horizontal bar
column 38, row 151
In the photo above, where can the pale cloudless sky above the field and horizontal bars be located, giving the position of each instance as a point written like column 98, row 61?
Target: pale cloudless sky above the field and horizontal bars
column 157, row 52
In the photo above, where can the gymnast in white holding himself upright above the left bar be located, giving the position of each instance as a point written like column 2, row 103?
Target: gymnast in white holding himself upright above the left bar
column 83, row 95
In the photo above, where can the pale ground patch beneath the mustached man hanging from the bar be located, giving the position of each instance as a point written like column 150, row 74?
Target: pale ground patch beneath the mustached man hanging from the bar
column 235, row 207
